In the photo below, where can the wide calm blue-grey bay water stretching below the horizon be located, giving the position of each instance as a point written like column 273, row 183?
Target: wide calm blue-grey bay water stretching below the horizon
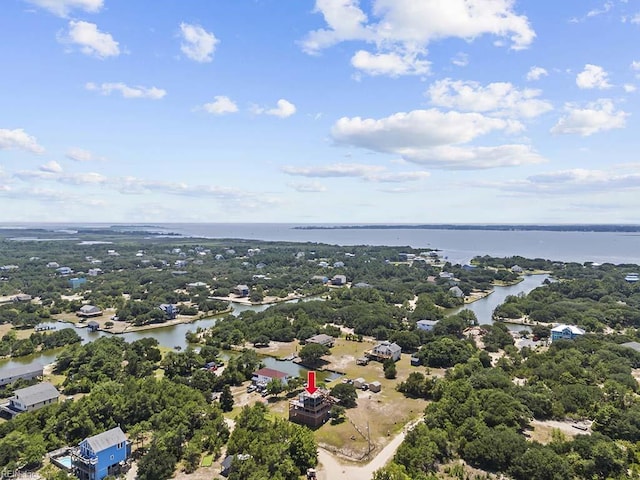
column 458, row 245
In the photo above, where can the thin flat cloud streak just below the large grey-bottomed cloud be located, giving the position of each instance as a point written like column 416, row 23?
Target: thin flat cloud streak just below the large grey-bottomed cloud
column 371, row 173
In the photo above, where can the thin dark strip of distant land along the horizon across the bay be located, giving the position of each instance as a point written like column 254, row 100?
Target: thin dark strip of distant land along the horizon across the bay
column 501, row 228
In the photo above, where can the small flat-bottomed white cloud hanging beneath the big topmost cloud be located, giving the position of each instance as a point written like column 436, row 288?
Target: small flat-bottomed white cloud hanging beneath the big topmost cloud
column 391, row 64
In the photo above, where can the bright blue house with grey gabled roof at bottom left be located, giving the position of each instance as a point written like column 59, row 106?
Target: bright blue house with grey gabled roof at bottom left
column 101, row 455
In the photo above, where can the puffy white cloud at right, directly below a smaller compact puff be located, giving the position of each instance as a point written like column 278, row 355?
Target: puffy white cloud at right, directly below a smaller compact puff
column 597, row 117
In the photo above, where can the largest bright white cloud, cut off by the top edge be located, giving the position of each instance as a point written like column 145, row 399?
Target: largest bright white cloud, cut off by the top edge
column 402, row 29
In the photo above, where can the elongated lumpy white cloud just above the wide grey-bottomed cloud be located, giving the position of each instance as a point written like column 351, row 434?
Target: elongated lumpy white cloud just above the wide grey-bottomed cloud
column 502, row 98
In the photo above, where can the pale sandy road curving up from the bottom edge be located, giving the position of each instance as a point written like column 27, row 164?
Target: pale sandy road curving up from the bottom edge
column 332, row 469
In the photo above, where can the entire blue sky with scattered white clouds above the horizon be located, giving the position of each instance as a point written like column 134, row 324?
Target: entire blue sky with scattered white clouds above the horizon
column 377, row 111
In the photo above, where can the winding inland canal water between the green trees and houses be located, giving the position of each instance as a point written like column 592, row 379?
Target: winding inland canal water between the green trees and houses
column 174, row 335
